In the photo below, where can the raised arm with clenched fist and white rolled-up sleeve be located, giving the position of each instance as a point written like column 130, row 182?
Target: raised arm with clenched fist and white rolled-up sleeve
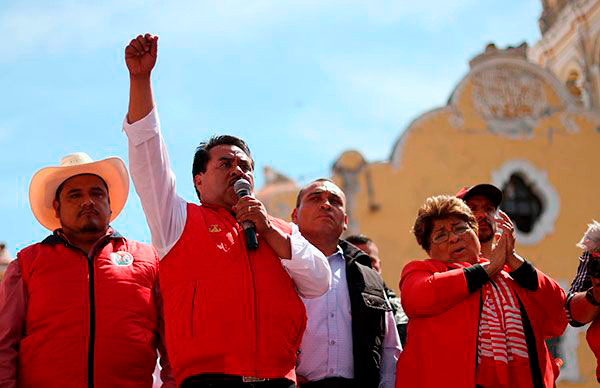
column 152, row 176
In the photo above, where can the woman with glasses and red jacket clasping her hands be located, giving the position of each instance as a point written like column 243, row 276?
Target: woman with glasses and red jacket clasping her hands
column 474, row 322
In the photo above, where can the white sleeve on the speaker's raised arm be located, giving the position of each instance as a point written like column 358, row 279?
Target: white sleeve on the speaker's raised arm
column 154, row 182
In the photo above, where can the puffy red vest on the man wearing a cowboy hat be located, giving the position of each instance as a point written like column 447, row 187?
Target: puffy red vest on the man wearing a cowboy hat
column 66, row 312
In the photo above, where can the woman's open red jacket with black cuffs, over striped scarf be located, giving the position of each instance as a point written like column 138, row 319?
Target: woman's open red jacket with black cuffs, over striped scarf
column 441, row 347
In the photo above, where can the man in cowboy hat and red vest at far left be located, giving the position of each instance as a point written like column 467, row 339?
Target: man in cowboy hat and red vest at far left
column 81, row 308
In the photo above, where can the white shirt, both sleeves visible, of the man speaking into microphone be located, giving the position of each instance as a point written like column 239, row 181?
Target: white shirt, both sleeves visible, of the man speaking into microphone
column 166, row 212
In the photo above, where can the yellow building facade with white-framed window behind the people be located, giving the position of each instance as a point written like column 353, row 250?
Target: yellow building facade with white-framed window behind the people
column 511, row 122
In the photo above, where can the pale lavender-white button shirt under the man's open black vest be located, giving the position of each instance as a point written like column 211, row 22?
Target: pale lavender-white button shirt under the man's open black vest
column 326, row 348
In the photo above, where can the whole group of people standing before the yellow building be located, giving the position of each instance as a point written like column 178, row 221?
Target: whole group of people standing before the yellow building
column 229, row 296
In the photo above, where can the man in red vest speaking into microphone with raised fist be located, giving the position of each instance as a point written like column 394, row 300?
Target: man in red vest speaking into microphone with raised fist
column 232, row 314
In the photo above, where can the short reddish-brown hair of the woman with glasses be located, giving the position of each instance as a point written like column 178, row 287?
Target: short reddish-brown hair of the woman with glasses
column 440, row 207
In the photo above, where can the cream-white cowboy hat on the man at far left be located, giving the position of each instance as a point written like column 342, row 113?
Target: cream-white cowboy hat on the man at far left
column 45, row 182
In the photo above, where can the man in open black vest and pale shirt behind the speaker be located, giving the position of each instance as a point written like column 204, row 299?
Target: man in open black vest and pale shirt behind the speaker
column 350, row 338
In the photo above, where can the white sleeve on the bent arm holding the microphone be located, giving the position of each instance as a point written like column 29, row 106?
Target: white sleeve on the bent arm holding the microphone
column 308, row 267
